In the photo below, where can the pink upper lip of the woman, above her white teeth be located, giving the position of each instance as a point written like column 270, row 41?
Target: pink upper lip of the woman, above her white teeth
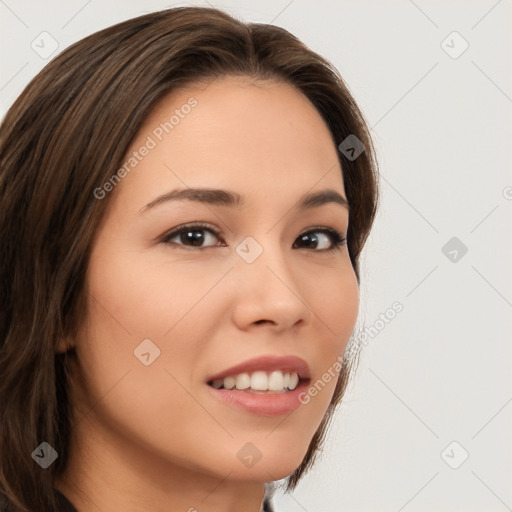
column 287, row 364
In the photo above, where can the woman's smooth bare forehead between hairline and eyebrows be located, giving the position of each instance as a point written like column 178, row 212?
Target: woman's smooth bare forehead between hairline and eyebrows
column 235, row 133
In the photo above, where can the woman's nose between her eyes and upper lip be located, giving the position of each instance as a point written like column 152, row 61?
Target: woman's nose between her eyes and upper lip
column 268, row 292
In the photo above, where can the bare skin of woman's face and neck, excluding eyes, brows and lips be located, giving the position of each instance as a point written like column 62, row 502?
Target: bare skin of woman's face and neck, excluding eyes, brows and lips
column 152, row 437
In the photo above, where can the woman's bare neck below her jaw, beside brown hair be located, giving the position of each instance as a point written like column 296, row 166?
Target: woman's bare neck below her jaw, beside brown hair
column 109, row 474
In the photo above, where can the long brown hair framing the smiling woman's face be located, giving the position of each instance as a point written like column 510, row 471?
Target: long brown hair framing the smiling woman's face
column 67, row 134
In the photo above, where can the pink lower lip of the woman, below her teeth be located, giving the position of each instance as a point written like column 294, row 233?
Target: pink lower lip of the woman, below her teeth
column 262, row 404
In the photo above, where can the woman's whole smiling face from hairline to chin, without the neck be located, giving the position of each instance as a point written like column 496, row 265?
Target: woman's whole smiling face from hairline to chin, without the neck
column 170, row 312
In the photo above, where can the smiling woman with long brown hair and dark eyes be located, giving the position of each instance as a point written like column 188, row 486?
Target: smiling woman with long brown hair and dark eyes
column 185, row 198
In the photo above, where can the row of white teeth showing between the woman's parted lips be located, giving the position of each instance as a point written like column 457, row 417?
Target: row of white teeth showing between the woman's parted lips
column 259, row 381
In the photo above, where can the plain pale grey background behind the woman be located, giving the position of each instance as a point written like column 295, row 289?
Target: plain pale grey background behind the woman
column 439, row 372
